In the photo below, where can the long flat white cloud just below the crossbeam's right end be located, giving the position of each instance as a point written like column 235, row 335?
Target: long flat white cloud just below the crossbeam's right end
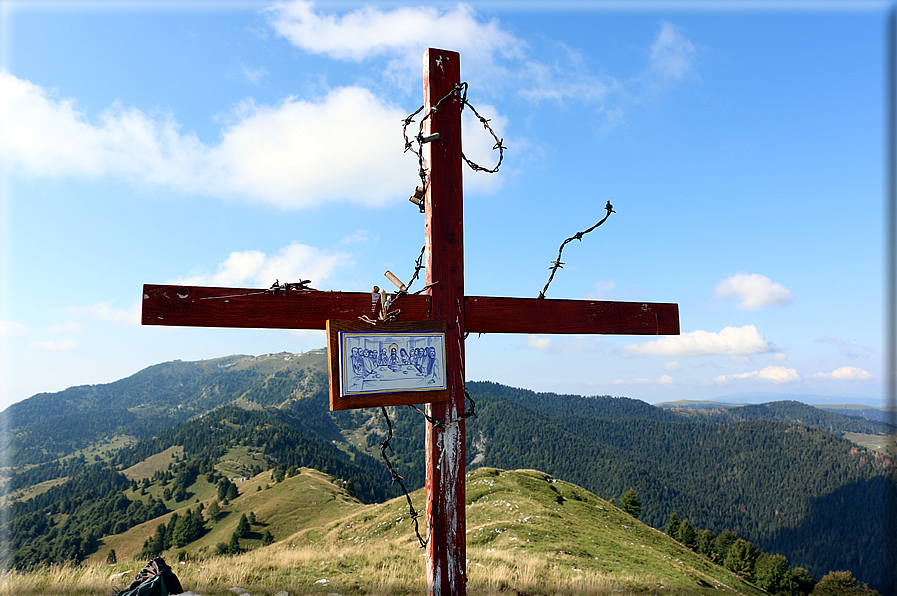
column 731, row 341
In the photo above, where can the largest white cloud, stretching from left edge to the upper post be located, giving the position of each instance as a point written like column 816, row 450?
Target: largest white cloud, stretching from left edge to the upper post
column 295, row 154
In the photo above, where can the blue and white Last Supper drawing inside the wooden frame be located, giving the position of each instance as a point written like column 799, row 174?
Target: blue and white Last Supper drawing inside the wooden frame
column 391, row 362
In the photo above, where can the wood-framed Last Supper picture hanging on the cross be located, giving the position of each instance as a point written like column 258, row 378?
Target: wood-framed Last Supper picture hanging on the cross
column 387, row 364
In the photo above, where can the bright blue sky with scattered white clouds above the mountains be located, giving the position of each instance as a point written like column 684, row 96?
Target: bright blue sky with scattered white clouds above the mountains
column 233, row 144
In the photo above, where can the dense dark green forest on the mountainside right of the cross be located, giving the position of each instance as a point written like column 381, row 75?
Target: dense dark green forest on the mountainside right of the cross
column 805, row 493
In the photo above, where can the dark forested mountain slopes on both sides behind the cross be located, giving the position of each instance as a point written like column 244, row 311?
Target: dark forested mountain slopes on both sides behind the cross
column 778, row 475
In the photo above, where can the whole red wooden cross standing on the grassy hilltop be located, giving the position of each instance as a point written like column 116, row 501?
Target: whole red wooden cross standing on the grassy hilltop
column 445, row 301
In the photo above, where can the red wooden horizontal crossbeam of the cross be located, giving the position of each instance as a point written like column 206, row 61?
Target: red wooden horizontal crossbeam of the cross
column 197, row 306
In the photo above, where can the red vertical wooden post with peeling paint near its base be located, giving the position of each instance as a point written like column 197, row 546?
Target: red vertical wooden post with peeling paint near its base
column 445, row 451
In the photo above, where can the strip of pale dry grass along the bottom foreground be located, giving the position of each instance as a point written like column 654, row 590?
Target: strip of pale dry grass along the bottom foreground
column 372, row 569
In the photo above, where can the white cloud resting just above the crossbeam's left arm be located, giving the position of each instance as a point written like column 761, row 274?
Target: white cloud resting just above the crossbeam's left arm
column 293, row 263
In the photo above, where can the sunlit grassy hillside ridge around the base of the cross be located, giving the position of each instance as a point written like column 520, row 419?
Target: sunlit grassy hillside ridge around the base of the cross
column 528, row 533
